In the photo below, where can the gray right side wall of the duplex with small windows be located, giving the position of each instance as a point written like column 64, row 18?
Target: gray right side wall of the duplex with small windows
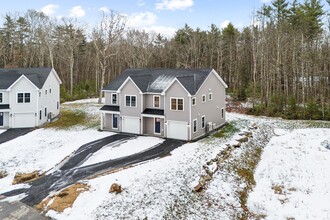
column 211, row 108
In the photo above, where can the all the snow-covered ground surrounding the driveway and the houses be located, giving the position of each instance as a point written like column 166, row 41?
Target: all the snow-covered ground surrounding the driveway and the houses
column 162, row 189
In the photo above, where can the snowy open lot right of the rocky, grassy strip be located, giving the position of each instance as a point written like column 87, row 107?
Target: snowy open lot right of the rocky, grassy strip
column 293, row 177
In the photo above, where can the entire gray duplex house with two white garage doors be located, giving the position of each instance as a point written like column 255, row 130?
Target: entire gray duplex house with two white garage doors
column 181, row 104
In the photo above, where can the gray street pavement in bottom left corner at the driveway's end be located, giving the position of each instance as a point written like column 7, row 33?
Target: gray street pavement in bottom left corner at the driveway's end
column 18, row 211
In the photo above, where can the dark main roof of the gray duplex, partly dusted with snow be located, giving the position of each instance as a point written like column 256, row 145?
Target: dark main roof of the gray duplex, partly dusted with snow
column 157, row 80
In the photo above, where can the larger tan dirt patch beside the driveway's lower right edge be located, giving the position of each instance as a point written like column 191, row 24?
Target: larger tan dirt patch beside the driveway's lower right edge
column 64, row 199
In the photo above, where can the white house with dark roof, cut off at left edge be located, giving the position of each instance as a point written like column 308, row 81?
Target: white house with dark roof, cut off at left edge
column 29, row 97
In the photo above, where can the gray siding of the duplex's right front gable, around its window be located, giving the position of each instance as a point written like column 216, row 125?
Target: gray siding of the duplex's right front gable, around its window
column 176, row 91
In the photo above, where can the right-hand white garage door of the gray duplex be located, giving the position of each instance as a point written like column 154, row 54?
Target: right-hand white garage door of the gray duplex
column 177, row 130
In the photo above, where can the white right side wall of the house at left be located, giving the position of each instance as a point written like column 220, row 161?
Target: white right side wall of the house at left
column 49, row 100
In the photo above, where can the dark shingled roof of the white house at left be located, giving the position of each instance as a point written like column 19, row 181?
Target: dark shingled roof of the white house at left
column 37, row 76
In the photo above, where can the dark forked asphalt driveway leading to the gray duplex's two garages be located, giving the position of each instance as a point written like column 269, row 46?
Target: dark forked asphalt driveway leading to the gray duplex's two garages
column 70, row 172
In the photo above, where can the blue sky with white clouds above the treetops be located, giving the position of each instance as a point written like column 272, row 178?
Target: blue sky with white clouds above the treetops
column 164, row 16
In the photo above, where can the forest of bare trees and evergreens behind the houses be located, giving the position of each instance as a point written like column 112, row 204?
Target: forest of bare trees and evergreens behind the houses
column 280, row 62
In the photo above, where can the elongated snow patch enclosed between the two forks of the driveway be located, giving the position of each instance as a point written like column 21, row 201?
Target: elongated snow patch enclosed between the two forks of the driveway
column 130, row 147
